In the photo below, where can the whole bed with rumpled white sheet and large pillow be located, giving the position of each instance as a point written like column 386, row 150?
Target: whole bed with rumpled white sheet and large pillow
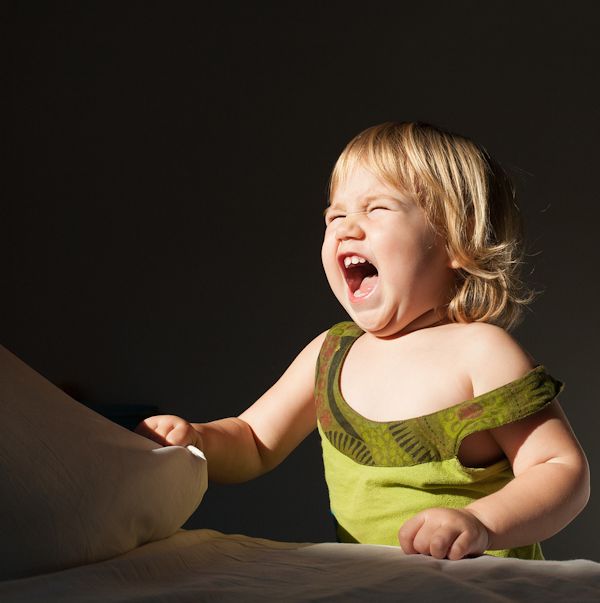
column 92, row 512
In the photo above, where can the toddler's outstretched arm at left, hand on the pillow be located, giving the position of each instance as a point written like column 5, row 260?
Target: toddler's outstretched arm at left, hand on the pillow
column 240, row 448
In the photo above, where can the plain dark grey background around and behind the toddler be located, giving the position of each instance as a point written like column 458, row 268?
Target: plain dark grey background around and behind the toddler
column 166, row 172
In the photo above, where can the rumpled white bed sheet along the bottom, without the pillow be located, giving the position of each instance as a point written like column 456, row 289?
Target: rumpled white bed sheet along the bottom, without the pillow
column 204, row 565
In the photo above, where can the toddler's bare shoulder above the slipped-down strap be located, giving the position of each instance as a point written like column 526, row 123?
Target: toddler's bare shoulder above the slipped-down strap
column 492, row 356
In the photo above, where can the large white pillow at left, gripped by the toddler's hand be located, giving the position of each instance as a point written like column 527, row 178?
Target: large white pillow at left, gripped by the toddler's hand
column 77, row 488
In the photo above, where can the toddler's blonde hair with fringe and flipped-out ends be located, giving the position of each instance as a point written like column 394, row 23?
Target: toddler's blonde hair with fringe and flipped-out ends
column 467, row 198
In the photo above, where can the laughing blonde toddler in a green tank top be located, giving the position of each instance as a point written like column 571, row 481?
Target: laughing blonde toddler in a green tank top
column 439, row 432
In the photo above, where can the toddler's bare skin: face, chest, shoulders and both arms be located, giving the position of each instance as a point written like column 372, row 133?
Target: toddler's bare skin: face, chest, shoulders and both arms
column 409, row 362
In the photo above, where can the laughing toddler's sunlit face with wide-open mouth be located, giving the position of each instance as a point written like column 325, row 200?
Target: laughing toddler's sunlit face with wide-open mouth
column 383, row 261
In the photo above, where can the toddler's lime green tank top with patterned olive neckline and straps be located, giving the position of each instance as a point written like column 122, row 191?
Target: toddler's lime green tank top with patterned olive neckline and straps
column 379, row 474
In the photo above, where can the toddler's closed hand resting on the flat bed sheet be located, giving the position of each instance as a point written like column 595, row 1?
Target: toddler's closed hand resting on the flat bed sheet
column 439, row 532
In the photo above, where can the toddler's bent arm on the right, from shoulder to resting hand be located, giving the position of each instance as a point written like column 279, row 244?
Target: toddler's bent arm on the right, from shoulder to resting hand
column 550, row 488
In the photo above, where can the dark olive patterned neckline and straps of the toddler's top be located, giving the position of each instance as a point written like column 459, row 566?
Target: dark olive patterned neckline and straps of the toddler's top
column 428, row 438
